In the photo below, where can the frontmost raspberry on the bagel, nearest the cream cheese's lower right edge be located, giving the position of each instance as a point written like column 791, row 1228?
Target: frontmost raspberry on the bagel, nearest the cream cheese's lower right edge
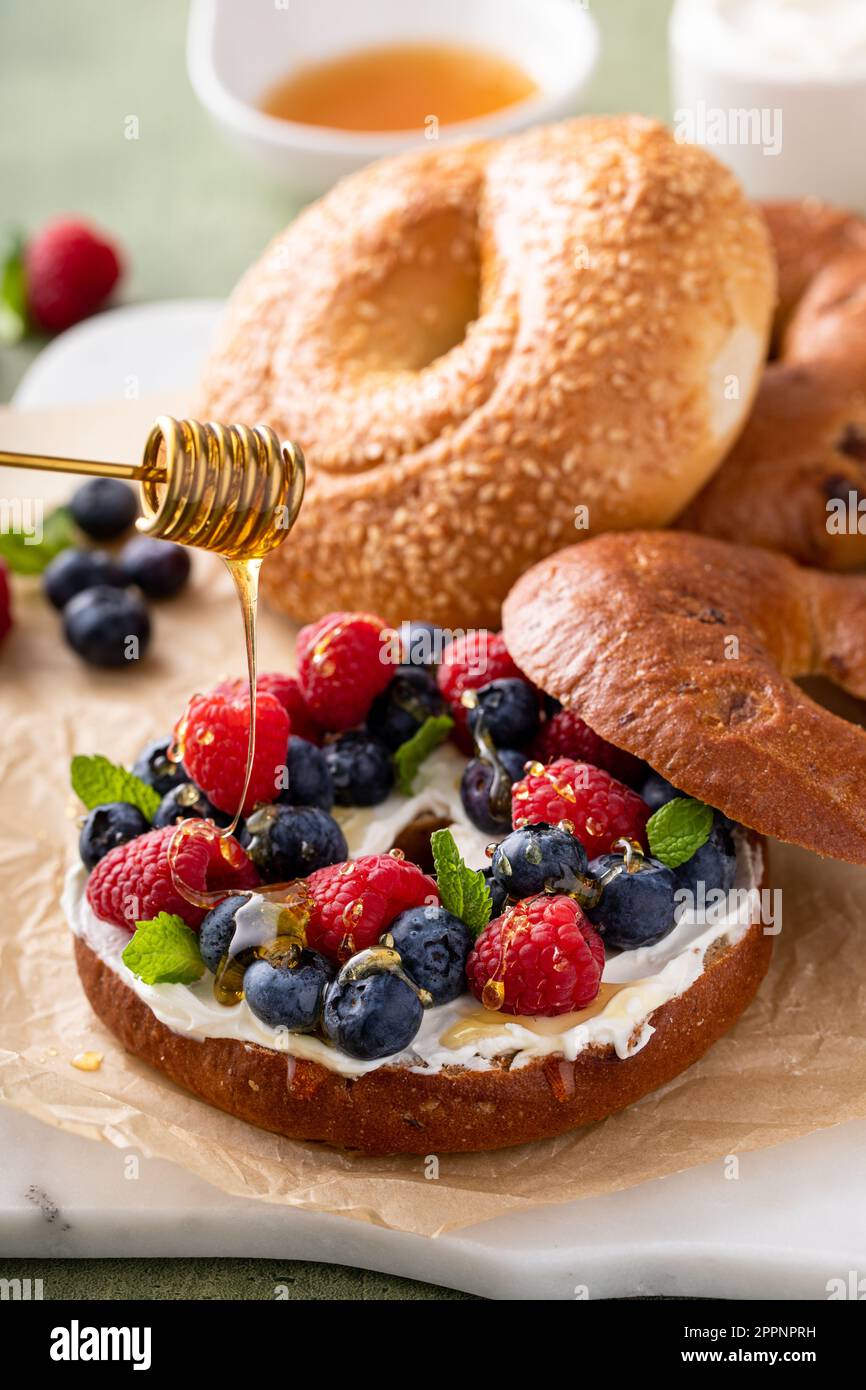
column 540, row 958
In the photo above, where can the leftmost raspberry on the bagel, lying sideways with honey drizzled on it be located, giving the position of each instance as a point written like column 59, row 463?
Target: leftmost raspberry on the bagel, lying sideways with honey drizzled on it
column 134, row 882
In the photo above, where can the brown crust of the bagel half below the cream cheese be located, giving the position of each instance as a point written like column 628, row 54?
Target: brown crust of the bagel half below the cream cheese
column 394, row 1110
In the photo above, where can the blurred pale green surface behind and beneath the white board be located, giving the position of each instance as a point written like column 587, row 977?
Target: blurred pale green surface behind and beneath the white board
column 191, row 215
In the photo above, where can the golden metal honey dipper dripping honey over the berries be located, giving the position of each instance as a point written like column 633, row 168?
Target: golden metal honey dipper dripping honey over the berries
column 227, row 489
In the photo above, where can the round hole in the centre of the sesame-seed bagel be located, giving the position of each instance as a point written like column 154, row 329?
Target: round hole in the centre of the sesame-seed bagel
column 423, row 302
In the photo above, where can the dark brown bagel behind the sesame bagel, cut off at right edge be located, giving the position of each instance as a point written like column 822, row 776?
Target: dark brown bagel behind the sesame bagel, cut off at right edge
column 796, row 480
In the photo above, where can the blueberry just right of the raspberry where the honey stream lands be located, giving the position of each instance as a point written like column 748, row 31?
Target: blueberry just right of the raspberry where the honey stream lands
column 294, row 842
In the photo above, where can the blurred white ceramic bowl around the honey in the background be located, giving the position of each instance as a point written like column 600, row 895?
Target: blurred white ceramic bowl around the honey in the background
column 237, row 52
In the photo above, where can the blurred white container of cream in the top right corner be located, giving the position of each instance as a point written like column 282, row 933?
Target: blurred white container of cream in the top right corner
column 778, row 91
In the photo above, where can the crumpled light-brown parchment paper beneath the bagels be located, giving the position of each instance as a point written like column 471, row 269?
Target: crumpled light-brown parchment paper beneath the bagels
column 796, row 1063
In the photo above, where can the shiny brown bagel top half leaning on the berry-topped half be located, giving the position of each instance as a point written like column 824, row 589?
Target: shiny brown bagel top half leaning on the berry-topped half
column 685, row 651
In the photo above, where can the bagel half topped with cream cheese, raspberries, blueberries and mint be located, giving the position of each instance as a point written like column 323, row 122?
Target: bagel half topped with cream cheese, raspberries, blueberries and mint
column 407, row 947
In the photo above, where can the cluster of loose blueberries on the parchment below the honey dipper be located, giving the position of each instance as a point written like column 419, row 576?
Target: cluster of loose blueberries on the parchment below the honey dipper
column 102, row 597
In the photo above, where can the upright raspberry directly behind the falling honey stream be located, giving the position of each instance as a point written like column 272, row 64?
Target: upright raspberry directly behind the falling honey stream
column 213, row 736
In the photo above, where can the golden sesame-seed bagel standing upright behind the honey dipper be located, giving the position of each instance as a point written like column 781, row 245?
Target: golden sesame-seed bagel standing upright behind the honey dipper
column 473, row 343
